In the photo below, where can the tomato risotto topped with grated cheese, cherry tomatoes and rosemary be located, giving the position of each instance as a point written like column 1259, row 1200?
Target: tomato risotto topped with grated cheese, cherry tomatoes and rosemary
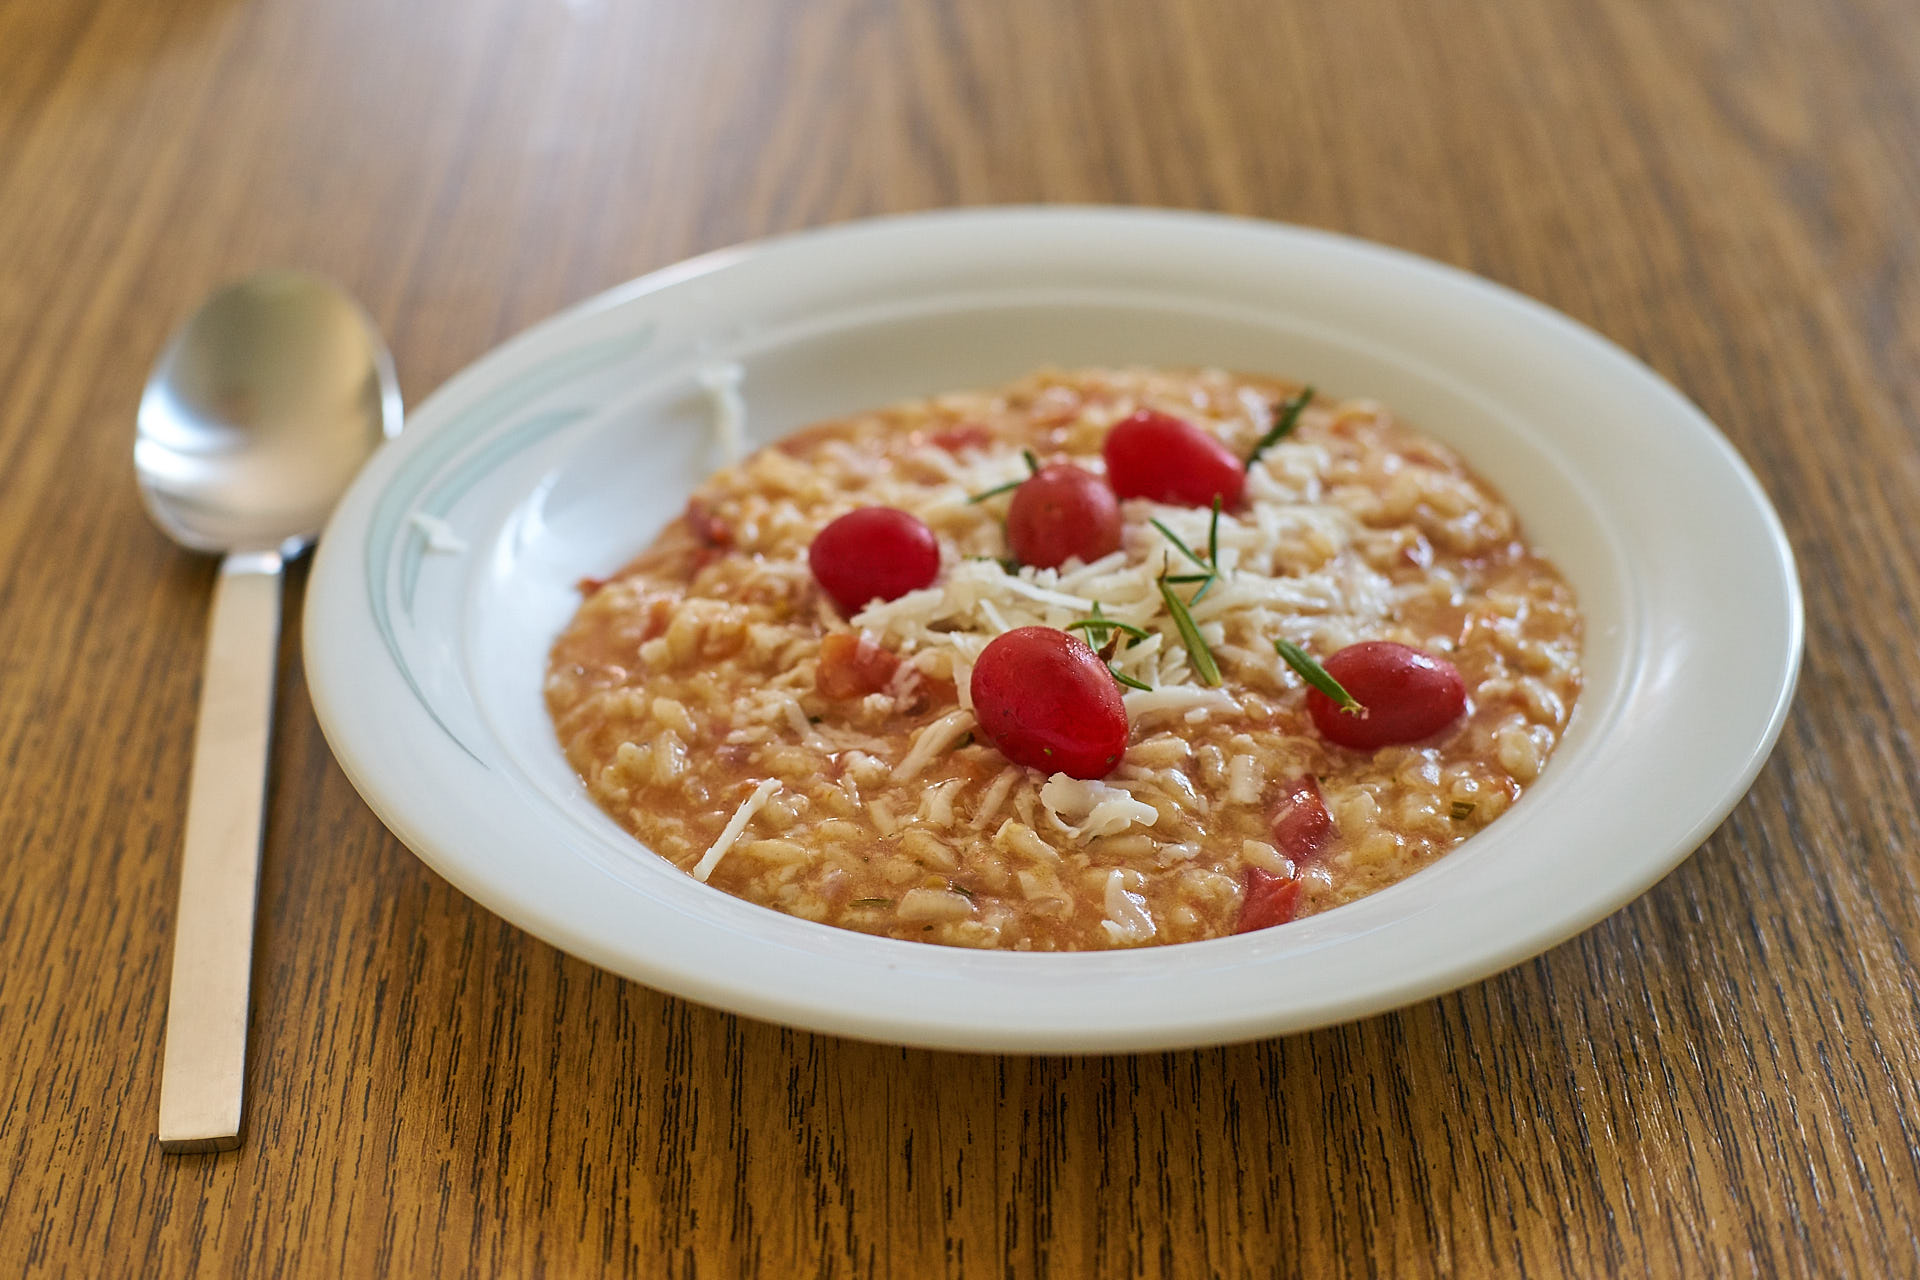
column 1101, row 659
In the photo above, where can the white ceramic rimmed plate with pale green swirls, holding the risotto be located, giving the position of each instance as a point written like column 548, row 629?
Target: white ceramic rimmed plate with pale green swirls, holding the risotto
column 564, row 452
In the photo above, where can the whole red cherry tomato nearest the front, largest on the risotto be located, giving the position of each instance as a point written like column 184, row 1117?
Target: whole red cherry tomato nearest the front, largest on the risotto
column 1047, row 701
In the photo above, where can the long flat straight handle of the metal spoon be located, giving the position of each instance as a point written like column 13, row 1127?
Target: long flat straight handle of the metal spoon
column 203, row 1078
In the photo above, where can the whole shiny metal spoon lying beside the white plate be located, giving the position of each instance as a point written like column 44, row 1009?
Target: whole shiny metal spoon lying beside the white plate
column 252, row 425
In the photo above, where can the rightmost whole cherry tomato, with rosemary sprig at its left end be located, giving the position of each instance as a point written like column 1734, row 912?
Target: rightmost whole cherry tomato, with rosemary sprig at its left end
column 1408, row 696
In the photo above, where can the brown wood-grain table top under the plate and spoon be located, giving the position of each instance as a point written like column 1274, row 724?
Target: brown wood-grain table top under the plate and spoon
column 1717, row 1079
